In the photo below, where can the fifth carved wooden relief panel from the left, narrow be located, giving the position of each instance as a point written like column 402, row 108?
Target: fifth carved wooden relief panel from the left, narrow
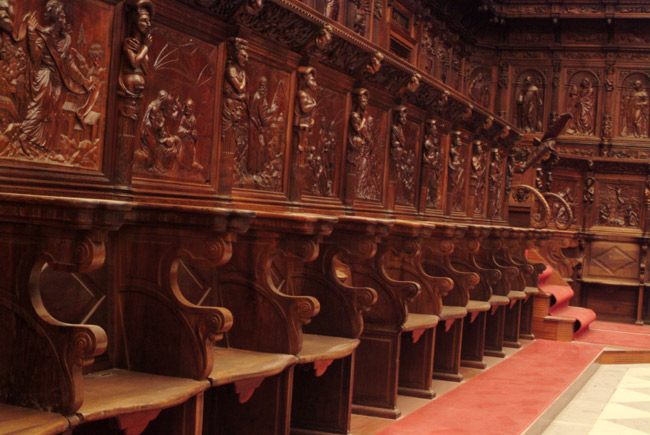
column 371, row 156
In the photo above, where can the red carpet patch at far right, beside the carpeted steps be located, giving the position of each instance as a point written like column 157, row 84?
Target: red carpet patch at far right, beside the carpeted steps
column 616, row 334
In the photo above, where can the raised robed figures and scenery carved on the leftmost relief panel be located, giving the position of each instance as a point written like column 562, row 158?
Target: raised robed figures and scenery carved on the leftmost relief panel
column 58, row 80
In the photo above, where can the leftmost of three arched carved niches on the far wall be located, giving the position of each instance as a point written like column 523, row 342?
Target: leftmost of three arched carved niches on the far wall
column 529, row 93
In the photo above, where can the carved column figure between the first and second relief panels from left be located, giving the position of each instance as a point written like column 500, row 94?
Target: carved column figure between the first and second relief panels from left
column 135, row 51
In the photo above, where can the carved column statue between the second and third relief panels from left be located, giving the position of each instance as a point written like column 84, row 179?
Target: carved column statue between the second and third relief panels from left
column 235, row 95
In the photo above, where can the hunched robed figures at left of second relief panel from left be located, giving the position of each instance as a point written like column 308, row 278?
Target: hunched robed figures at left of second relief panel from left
column 159, row 148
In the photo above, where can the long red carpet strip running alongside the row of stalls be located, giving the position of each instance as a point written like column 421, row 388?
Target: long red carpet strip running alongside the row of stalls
column 505, row 399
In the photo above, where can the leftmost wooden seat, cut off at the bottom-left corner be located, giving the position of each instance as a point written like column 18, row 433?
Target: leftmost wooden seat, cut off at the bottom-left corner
column 18, row 420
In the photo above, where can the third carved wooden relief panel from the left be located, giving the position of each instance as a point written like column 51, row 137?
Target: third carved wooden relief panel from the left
column 259, row 132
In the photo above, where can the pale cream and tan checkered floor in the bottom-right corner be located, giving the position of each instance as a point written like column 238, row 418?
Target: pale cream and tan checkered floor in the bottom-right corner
column 615, row 401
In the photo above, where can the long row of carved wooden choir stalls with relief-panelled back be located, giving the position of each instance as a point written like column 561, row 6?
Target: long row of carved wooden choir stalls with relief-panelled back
column 261, row 216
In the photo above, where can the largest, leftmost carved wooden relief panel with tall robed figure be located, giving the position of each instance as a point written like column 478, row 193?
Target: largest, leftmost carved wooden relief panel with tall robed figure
column 54, row 58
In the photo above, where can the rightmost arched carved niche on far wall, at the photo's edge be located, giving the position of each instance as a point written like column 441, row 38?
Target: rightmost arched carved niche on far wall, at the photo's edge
column 634, row 105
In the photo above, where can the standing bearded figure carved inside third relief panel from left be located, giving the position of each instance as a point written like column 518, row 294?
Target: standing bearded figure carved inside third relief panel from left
column 261, row 113
